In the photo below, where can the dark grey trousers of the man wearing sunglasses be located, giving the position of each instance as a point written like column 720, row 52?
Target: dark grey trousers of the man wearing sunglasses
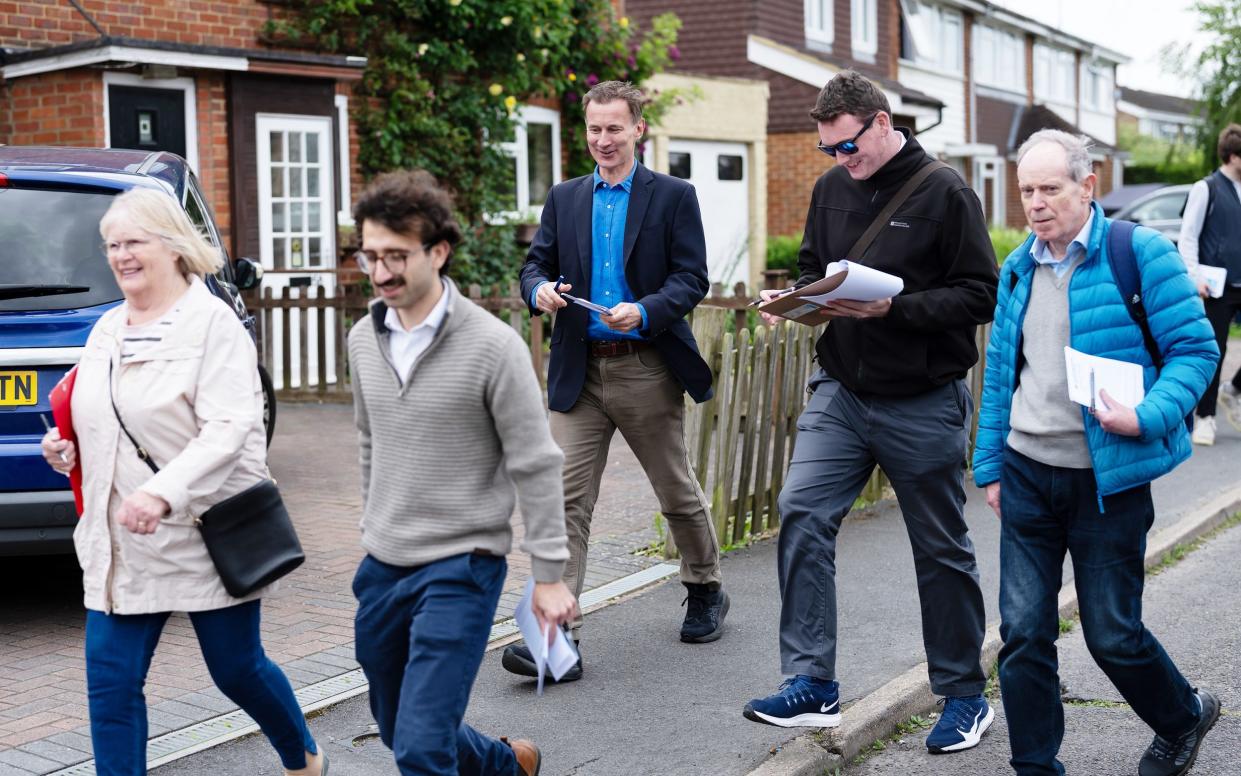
column 920, row 443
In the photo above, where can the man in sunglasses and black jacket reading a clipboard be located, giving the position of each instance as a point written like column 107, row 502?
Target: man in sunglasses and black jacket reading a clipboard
column 890, row 392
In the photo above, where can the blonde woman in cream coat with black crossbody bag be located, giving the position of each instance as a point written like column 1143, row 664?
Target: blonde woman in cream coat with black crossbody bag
column 176, row 366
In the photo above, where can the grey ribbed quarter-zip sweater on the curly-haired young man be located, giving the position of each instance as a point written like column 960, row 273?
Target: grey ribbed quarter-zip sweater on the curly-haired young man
column 446, row 456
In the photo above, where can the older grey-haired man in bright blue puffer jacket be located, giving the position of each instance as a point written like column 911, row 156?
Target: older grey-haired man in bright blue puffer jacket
column 1063, row 477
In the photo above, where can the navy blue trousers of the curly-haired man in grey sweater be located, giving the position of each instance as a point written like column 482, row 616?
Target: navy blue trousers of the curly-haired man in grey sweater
column 421, row 634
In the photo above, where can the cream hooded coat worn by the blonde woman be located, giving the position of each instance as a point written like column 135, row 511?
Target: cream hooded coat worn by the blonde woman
column 195, row 403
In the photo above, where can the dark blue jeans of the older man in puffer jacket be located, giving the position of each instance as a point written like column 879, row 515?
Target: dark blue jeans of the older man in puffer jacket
column 1048, row 511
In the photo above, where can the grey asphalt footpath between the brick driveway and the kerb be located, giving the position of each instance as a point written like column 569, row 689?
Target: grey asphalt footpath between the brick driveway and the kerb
column 650, row 705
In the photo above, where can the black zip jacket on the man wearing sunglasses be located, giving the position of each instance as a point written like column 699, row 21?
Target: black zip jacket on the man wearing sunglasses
column 936, row 243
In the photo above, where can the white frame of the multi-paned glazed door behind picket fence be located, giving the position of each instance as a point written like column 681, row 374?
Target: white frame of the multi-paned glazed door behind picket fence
column 285, row 122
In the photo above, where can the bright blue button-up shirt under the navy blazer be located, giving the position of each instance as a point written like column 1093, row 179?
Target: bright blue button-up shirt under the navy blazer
column 610, row 209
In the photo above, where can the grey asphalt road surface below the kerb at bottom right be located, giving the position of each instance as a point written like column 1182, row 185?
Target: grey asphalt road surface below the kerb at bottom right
column 1194, row 609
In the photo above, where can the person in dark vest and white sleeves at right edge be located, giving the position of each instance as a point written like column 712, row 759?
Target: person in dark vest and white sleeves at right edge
column 1211, row 235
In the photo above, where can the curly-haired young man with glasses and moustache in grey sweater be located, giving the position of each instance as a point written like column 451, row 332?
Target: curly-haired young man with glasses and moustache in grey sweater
column 452, row 435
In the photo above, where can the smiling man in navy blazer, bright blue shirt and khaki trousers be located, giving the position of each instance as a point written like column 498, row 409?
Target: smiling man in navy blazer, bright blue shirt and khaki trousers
column 629, row 240
